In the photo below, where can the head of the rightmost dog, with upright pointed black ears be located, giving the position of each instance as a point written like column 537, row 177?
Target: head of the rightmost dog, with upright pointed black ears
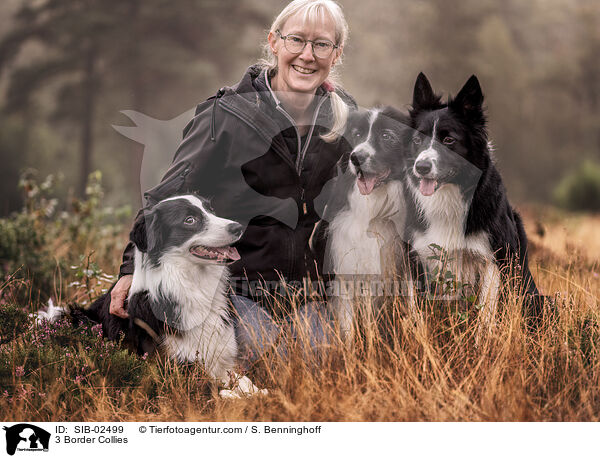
column 447, row 137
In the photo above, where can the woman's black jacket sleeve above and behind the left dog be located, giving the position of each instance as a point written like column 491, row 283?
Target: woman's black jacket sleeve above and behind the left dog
column 197, row 163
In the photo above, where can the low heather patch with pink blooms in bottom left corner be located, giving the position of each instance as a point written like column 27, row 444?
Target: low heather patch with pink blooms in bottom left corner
column 72, row 358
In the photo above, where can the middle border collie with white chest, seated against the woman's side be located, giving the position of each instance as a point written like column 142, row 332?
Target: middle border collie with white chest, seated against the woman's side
column 366, row 232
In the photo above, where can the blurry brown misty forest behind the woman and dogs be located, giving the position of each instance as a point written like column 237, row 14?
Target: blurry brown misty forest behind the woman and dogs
column 68, row 67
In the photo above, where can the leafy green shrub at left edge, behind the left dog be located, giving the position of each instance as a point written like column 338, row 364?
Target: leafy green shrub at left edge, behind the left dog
column 40, row 242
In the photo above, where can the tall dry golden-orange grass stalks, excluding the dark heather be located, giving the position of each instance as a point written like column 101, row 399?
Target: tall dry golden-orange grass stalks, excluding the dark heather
column 400, row 366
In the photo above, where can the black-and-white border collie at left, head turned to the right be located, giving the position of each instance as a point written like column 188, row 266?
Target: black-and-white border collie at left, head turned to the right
column 177, row 302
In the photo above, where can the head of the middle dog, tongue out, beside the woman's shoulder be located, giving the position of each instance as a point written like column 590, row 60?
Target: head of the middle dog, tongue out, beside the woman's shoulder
column 377, row 137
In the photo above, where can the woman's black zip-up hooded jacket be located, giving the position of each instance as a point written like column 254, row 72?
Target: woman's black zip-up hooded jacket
column 241, row 151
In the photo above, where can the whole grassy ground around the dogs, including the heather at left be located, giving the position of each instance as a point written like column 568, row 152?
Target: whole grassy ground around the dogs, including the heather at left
column 425, row 369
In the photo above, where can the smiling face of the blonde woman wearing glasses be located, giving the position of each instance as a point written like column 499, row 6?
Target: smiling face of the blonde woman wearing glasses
column 303, row 72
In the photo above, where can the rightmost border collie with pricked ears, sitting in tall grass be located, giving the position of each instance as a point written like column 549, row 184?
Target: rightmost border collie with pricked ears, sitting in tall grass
column 460, row 199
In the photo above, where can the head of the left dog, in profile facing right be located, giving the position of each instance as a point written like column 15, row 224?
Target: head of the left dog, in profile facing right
column 185, row 226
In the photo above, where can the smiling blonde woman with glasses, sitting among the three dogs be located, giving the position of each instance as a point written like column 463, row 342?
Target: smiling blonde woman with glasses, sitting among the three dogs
column 263, row 149
